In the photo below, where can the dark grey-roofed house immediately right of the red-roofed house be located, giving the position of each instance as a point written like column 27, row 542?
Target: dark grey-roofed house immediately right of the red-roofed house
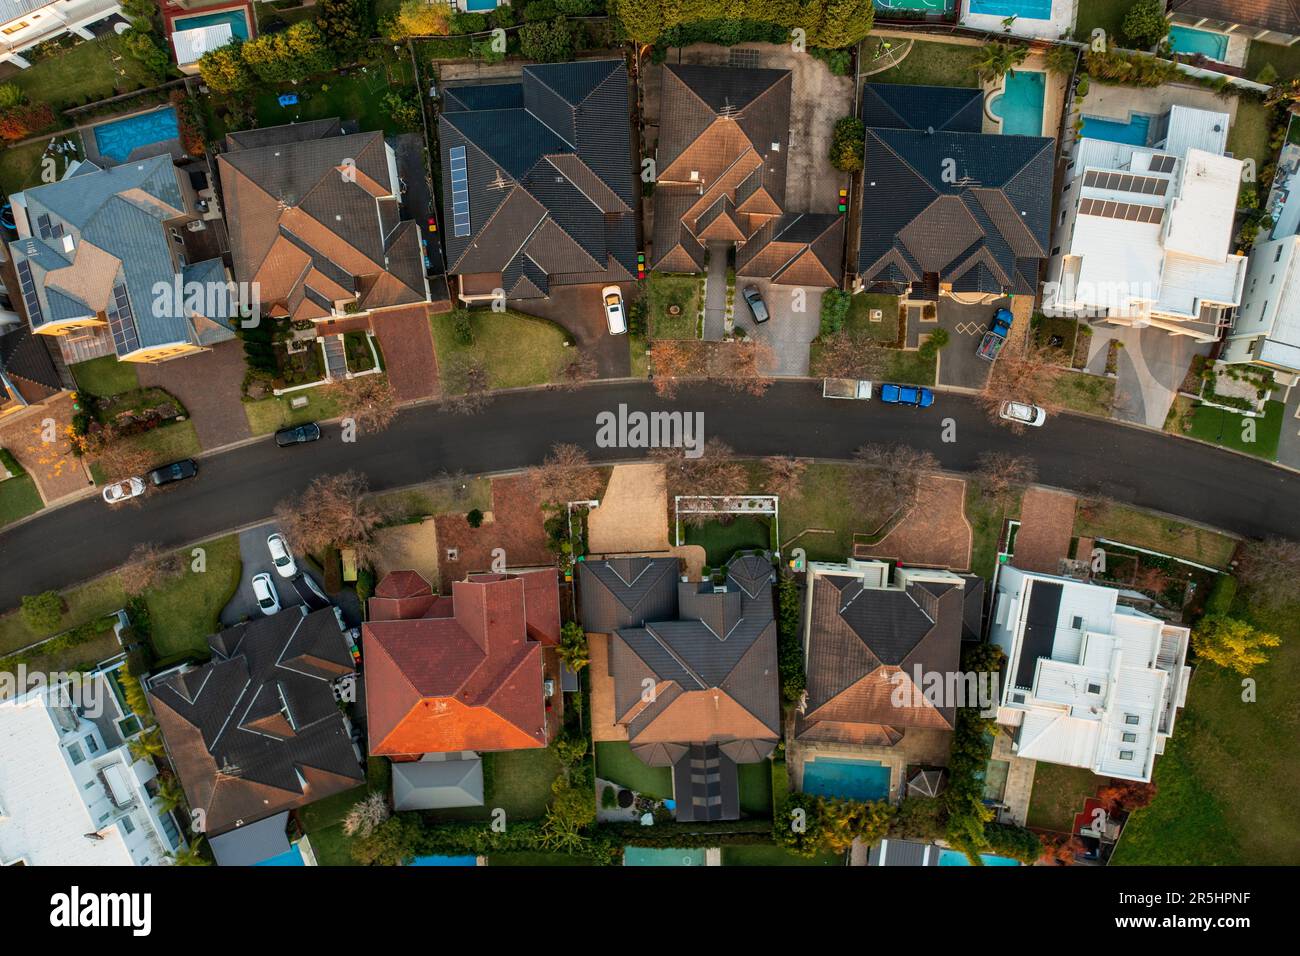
column 694, row 672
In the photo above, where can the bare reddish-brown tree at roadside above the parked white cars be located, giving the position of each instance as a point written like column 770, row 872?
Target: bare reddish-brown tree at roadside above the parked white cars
column 332, row 513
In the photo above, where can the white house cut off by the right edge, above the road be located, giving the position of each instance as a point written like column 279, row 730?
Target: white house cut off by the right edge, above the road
column 1267, row 331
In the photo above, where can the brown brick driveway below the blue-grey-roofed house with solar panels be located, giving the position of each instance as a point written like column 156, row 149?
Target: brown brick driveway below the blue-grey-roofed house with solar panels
column 209, row 387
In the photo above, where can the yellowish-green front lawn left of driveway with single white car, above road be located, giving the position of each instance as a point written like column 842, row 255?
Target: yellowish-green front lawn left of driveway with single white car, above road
column 515, row 349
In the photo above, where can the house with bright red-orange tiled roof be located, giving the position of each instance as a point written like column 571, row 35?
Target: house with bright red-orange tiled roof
column 467, row 672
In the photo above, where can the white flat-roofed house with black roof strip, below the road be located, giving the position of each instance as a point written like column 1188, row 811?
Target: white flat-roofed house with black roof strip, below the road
column 1091, row 682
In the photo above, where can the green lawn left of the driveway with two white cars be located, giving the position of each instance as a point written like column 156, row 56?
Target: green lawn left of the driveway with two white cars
column 185, row 612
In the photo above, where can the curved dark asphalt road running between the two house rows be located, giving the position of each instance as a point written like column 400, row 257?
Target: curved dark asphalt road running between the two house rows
column 242, row 486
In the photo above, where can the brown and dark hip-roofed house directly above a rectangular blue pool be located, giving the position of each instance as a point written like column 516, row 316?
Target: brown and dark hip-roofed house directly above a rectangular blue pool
column 872, row 642
